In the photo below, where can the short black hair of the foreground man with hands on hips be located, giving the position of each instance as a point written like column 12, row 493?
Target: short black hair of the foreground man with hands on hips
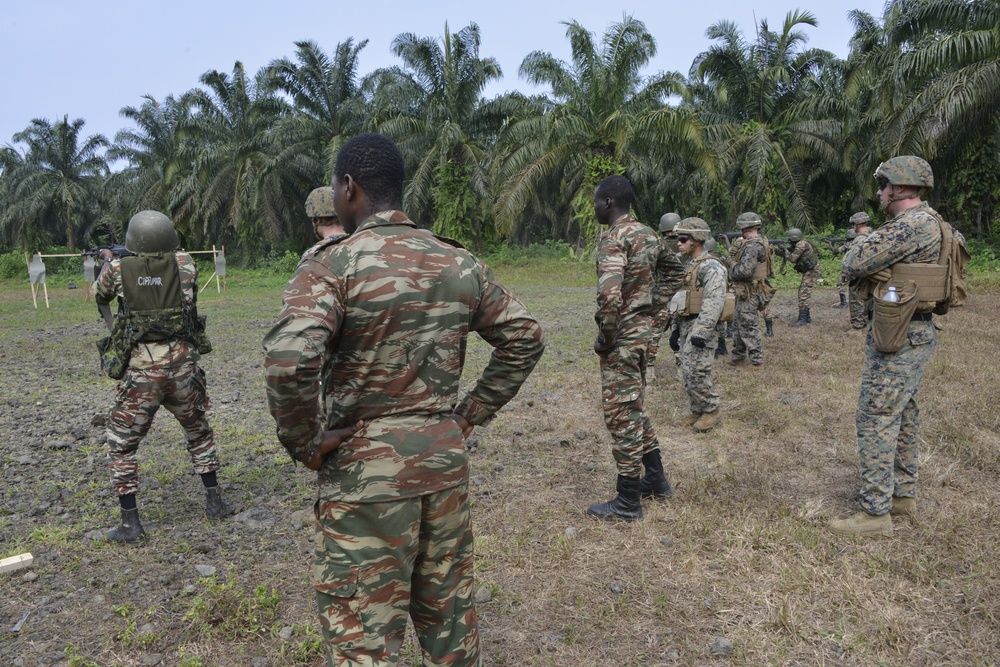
column 375, row 163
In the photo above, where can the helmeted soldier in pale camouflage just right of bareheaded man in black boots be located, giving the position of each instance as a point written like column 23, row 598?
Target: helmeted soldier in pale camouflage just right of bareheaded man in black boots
column 695, row 335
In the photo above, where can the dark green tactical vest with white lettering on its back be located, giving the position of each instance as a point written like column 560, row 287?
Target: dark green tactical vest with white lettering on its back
column 151, row 284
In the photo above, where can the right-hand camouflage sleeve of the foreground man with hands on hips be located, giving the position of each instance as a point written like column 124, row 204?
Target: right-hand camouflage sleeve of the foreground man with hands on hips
column 503, row 322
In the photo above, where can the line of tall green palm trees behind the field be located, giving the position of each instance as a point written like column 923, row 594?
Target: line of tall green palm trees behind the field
column 760, row 122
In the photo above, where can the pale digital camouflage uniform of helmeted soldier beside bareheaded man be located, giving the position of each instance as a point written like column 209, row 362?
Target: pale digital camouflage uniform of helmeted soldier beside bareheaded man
column 710, row 275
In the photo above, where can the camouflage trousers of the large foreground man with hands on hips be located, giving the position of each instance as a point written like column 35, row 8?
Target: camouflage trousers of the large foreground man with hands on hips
column 377, row 563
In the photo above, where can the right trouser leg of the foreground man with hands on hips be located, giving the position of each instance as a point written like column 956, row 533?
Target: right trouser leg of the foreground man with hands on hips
column 442, row 607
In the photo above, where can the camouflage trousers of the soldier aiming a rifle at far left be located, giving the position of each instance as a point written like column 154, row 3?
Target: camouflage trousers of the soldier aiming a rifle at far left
column 139, row 395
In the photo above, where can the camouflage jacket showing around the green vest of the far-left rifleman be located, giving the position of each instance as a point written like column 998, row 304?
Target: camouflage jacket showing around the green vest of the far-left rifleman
column 167, row 354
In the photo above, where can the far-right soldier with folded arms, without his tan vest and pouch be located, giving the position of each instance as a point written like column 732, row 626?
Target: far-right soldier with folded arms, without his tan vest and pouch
column 887, row 415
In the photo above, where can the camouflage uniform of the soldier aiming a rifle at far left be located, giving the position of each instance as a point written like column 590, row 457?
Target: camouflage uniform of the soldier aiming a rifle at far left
column 159, row 373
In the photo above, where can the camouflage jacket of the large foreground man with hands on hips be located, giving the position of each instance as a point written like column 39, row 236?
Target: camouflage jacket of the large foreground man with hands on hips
column 382, row 317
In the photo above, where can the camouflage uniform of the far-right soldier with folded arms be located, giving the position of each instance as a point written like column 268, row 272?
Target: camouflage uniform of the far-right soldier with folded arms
column 887, row 417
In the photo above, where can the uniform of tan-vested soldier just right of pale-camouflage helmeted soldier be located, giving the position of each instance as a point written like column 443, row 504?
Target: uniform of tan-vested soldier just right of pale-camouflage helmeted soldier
column 752, row 297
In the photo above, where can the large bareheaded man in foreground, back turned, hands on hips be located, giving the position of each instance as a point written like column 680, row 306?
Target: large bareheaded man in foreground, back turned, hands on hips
column 383, row 314
